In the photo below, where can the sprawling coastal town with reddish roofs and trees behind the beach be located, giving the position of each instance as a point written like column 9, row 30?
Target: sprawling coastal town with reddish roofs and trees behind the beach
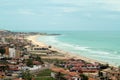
column 20, row 59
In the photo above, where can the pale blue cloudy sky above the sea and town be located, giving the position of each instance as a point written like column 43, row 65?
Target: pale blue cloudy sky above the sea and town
column 51, row 15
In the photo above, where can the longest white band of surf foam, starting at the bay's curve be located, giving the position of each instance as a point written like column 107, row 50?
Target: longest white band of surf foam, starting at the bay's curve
column 54, row 40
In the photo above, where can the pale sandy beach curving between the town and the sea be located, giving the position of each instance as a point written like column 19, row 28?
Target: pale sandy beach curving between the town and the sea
column 67, row 55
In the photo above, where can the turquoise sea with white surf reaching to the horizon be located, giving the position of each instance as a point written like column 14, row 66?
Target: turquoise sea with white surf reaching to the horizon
column 98, row 45
